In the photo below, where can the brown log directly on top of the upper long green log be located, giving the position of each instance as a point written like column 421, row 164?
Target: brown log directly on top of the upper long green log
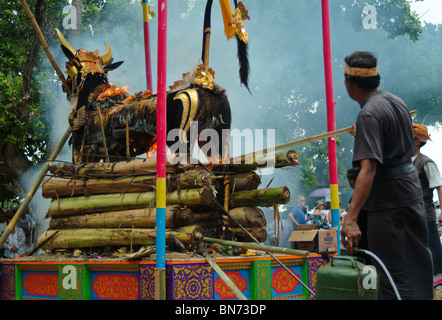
column 55, row 187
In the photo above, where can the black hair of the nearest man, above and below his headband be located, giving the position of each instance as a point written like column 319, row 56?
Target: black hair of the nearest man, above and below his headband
column 363, row 59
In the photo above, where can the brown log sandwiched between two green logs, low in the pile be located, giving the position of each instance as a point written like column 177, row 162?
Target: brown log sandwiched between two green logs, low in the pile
column 176, row 216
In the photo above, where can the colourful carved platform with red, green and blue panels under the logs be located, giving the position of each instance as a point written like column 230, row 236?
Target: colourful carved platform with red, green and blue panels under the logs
column 189, row 277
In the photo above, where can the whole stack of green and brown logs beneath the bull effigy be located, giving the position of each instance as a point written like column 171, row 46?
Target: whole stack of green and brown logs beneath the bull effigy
column 95, row 205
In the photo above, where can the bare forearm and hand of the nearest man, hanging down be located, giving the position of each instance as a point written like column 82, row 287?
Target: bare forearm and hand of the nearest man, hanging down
column 362, row 189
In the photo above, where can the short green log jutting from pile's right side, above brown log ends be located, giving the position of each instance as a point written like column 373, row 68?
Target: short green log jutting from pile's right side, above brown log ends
column 260, row 198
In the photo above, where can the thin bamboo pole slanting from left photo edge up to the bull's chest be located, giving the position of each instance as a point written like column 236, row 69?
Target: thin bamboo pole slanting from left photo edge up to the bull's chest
column 34, row 188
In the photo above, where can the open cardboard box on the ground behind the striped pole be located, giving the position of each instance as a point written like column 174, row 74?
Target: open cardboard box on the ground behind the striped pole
column 306, row 237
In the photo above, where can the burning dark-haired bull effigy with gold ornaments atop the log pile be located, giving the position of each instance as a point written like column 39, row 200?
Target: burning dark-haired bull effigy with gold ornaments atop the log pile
column 108, row 123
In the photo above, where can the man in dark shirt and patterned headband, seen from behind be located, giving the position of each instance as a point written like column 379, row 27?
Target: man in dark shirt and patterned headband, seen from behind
column 386, row 215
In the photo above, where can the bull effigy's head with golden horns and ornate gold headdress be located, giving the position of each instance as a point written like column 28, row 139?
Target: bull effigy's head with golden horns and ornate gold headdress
column 82, row 63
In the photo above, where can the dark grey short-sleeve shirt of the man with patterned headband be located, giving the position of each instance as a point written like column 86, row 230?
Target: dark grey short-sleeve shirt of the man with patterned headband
column 384, row 132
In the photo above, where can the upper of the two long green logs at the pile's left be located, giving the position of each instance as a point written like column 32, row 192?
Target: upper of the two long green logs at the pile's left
column 116, row 202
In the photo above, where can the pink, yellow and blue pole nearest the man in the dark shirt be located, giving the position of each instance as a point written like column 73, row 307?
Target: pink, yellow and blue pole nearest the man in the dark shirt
column 331, row 125
